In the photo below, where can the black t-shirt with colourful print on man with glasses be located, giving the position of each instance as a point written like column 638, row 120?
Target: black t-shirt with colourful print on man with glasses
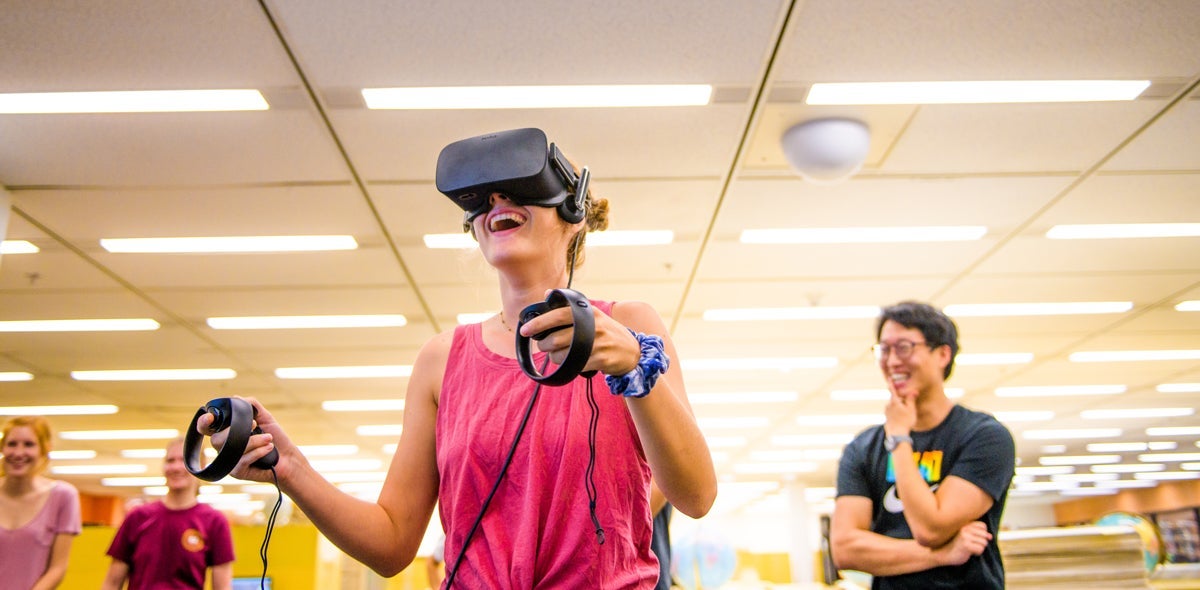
column 968, row 444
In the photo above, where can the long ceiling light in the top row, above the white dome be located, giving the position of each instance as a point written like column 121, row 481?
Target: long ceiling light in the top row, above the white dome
column 975, row 93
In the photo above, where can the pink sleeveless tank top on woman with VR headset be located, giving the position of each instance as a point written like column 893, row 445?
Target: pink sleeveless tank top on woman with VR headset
column 538, row 533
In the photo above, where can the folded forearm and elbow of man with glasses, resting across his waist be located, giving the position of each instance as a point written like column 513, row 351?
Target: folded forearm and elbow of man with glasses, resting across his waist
column 855, row 547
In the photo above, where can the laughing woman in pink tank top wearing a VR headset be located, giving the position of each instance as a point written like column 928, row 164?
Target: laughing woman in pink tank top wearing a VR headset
column 568, row 507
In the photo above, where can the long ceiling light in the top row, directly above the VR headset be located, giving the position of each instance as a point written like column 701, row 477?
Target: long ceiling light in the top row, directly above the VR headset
column 538, row 98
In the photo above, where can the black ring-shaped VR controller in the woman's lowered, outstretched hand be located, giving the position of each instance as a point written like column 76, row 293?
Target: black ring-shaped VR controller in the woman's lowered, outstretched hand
column 237, row 416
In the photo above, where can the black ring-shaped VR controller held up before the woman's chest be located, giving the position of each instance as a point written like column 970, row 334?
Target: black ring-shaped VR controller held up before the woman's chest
column 584, row 322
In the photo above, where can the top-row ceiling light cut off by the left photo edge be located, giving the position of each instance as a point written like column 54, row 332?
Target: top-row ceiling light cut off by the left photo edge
column 135, row 101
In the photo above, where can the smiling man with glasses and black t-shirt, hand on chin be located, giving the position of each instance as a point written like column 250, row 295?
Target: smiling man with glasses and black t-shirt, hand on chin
column 920, row 497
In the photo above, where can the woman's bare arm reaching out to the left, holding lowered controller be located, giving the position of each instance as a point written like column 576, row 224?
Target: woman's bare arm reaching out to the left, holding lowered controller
column 386, row 534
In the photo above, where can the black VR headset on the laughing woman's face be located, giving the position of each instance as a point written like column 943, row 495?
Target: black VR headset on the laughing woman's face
column 517, row 164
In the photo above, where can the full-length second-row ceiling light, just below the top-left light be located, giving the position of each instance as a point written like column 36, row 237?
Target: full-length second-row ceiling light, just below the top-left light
column 224, row 245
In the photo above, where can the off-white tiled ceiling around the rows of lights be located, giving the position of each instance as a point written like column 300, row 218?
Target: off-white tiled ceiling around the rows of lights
column 319, row 162
